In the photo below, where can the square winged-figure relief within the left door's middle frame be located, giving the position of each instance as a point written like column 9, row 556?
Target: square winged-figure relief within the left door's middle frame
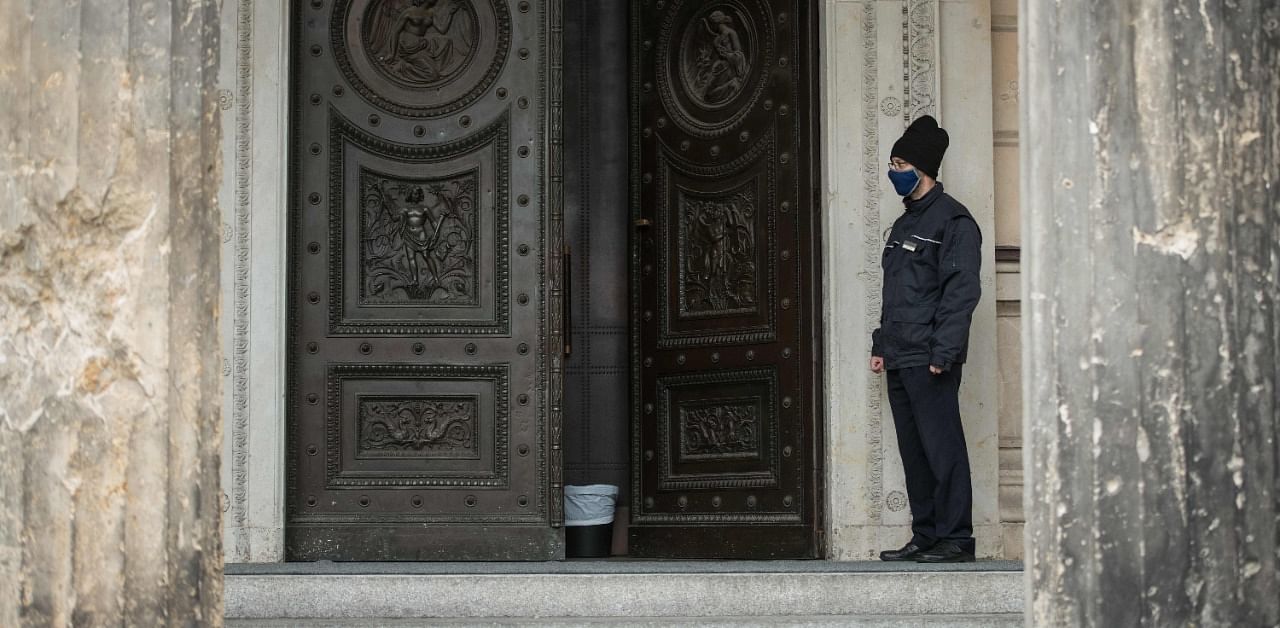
column 419, row 241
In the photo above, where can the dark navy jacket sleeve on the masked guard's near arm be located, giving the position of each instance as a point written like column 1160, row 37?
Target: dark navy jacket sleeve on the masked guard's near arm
column 961, row 260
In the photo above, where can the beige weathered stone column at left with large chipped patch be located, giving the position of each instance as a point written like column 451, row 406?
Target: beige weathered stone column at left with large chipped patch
column 109, row 360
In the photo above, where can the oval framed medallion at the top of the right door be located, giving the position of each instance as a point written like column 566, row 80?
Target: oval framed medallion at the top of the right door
column 712, row 62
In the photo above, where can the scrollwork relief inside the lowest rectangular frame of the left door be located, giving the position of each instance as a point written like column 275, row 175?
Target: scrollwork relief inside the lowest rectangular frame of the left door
column 390, row 425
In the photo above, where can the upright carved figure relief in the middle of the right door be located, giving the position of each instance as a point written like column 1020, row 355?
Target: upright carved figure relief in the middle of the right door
column 717, row 255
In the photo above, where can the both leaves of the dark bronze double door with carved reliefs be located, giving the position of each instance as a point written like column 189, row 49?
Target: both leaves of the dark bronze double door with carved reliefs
column 428, row 271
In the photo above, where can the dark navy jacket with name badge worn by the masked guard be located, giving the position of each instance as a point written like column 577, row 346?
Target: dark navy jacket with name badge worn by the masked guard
column 931, row 285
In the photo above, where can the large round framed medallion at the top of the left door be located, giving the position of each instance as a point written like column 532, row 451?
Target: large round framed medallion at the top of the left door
column 422, row 58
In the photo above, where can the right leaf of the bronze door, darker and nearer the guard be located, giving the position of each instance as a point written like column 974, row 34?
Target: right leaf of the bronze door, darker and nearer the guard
column 726, row 397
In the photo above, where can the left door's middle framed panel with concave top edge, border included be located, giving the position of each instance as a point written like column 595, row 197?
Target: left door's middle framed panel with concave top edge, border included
column 420, row 235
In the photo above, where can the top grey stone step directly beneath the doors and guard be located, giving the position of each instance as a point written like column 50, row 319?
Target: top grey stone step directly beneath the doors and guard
column 634, row 593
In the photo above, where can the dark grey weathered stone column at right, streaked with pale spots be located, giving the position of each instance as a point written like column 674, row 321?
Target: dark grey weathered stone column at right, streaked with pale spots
column 1150, row 177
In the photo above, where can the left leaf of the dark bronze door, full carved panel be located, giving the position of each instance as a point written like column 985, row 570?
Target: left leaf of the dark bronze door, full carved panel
column 424, row 297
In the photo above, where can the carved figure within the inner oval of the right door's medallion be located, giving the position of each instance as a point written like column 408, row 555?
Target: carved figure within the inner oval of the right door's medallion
column 716, row 57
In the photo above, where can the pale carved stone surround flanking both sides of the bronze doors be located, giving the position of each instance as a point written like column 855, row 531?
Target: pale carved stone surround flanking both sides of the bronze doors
column 880, row 70
